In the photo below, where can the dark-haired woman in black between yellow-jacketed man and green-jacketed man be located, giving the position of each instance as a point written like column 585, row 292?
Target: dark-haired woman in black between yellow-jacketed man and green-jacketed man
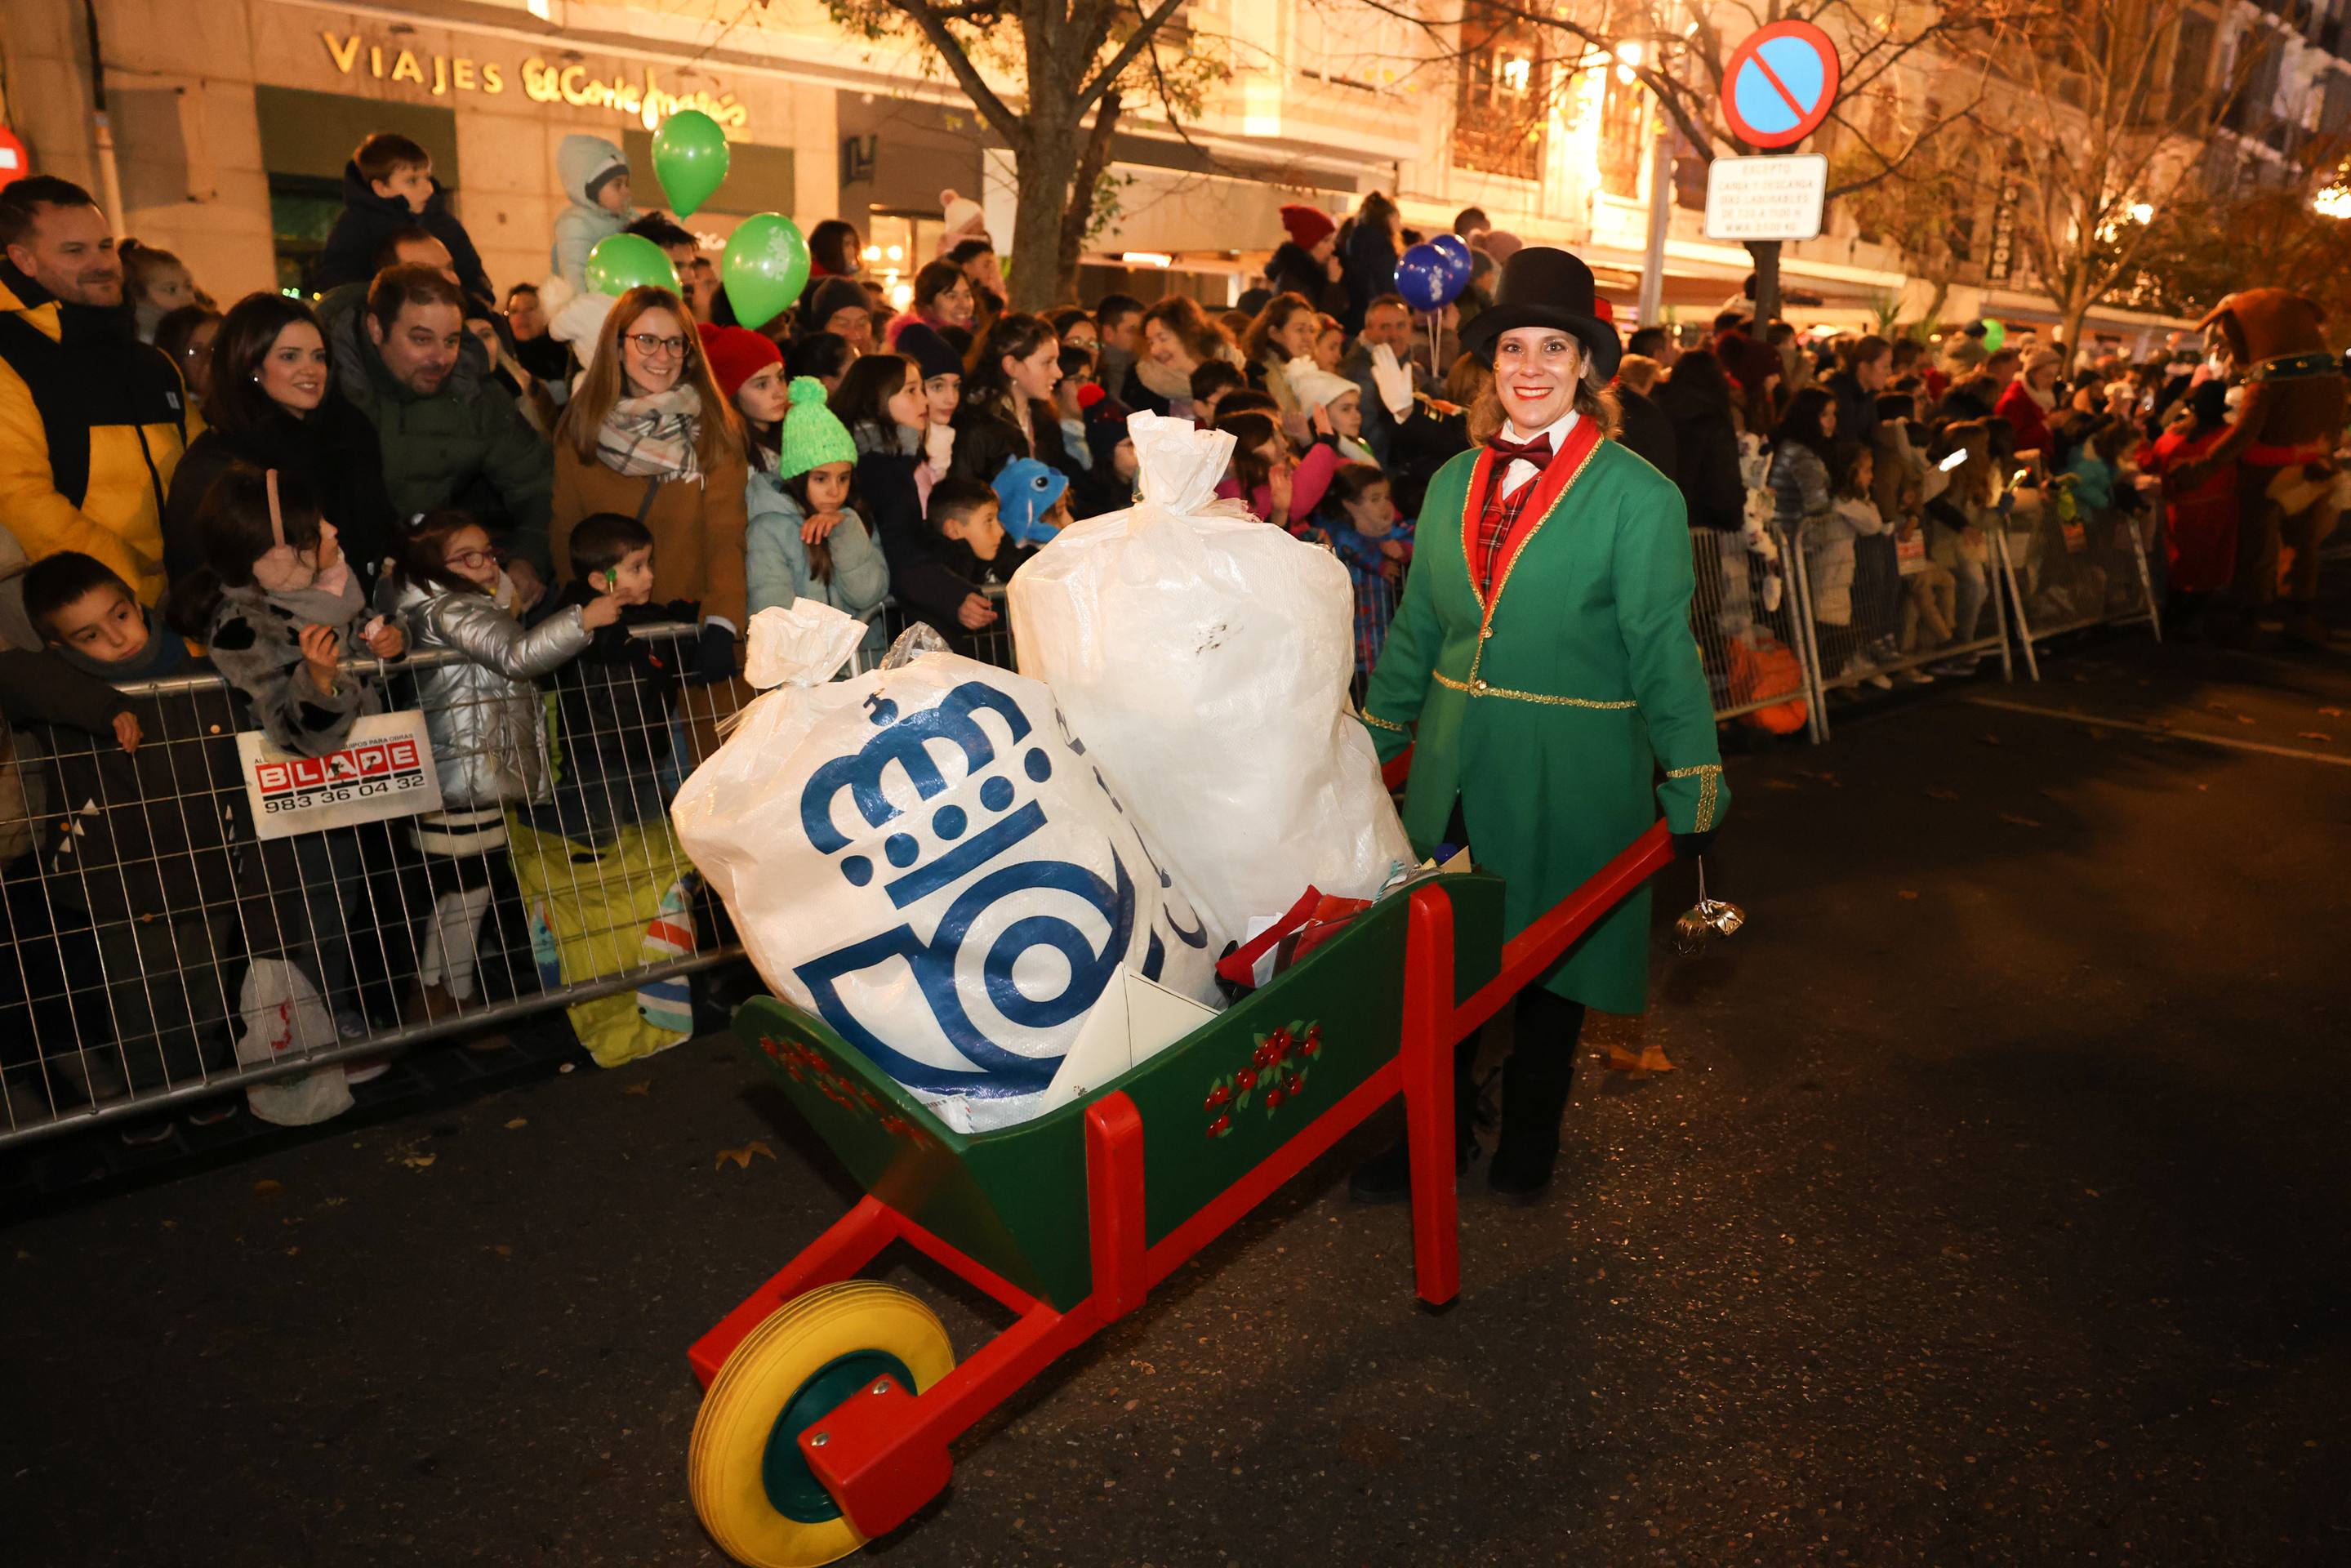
column 272, row 401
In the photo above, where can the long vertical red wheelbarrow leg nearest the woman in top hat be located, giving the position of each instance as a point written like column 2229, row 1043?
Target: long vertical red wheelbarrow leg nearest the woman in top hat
column 1426, row 1064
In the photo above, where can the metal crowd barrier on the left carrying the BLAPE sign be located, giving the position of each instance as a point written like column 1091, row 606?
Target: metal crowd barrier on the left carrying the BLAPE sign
column 166, row 949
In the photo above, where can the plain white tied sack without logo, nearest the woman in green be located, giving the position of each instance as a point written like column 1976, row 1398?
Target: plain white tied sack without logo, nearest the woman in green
column 1205, row 657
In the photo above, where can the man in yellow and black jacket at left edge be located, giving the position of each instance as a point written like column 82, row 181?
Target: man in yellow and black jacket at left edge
column 93, row 422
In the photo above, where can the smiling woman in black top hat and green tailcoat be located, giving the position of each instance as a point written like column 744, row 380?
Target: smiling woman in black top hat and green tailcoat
column 1546, row 678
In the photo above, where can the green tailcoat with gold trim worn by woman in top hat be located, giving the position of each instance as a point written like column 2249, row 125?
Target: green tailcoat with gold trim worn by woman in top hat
column 1553, row 718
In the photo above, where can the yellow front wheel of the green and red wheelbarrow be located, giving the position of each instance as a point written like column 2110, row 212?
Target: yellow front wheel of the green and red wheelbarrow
column 753, row 1489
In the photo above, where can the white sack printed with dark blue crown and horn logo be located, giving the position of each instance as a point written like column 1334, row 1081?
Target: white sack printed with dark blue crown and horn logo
column 925, row 859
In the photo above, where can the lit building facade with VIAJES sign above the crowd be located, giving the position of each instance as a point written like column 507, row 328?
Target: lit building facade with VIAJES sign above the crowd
column 229, row 126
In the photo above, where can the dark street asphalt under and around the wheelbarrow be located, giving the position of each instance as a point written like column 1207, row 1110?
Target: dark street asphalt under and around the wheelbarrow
column 1995, row 1214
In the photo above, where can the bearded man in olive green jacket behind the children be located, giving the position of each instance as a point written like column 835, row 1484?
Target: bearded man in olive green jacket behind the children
column 453, row 438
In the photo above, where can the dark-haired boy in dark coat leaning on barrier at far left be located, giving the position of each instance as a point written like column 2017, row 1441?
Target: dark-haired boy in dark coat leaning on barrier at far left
column 145, row 824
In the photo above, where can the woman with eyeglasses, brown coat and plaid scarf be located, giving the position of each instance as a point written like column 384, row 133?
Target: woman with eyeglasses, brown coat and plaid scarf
column 650, row 436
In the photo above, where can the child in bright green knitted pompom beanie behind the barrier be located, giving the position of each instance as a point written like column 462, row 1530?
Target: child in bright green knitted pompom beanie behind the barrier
column 805, row 535
